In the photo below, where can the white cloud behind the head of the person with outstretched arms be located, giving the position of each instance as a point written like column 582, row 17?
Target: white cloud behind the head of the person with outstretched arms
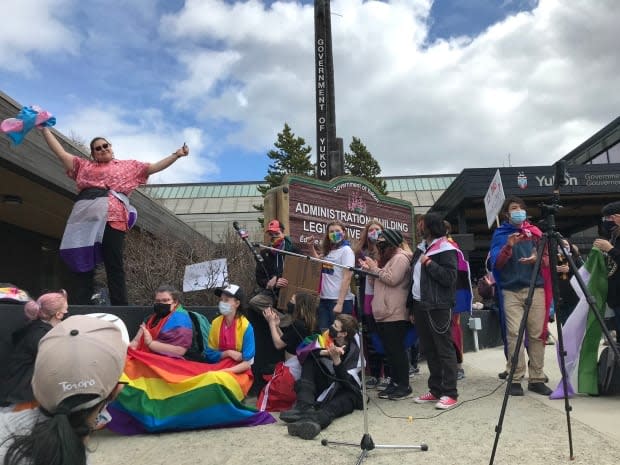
column 146, row 137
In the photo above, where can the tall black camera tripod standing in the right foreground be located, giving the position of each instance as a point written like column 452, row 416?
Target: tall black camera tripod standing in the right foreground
column 549, row 242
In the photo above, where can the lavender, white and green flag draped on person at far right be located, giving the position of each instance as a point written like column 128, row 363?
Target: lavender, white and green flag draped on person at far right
column 582, row 331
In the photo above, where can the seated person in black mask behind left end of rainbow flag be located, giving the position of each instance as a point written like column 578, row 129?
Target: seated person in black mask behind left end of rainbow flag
column 168, row 331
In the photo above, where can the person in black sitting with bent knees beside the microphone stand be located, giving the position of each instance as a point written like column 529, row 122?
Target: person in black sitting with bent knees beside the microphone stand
column 331, row 373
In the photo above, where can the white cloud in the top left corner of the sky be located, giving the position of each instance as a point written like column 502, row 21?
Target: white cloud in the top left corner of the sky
column 33, row 26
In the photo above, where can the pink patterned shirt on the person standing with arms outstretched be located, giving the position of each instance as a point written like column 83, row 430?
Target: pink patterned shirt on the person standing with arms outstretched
column 119, row 175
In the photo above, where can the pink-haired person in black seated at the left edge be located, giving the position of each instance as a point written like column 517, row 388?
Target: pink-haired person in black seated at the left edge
column 44, row 313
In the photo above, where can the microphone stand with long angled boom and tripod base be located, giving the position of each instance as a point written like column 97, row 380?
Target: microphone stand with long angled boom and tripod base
column 366, row 444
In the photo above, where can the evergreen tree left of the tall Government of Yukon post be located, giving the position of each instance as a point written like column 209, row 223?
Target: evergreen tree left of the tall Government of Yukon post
column 290, row 156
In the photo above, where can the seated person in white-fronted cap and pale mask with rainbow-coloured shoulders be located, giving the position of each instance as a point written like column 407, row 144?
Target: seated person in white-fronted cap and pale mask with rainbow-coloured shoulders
column 231, row 335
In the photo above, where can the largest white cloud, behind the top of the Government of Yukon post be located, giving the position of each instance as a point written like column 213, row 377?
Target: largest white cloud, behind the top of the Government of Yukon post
column 534, row 85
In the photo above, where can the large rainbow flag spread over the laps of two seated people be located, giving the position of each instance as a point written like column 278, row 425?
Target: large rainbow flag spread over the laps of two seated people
column 171, row 394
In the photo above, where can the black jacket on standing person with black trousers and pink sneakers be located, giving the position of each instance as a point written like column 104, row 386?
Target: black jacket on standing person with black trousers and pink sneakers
column 438, row 279
